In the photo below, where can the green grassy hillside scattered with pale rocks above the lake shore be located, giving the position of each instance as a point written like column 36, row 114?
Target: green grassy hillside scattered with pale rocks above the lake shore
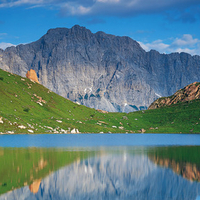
column 28, row 107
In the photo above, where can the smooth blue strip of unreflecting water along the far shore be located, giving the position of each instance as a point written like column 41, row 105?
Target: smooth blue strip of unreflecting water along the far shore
column 85, row 140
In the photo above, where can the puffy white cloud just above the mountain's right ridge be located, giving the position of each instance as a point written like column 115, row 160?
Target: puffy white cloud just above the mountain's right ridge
column 186, row 44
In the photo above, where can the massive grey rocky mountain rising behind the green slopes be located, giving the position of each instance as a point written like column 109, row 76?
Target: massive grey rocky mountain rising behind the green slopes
column 101, row 71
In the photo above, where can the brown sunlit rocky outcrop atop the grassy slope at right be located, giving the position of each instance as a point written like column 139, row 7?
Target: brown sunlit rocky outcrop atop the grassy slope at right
column 188, row 93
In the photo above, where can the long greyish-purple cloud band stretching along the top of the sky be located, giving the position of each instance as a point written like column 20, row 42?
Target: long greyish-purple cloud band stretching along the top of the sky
column 111, row 7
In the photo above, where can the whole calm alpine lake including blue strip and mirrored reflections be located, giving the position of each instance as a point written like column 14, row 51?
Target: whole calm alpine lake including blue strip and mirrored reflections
column 100, row 166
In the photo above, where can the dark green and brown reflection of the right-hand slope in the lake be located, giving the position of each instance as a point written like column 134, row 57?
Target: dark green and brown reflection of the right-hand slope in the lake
column 183, row 160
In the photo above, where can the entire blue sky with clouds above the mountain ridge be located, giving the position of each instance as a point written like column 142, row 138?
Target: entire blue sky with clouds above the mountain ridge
column 164, row 25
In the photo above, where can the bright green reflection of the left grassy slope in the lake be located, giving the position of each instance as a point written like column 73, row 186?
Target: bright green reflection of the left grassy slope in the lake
column 20, row 167
